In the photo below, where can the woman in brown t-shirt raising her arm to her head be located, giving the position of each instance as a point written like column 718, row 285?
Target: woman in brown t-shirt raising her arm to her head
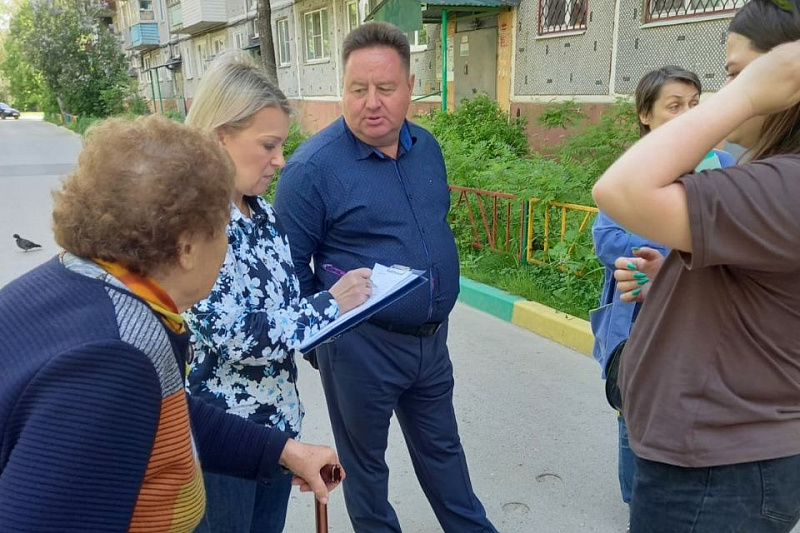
column 711, row 375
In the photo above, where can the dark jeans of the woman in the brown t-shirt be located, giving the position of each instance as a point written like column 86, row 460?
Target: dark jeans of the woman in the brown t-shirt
column 759, row 497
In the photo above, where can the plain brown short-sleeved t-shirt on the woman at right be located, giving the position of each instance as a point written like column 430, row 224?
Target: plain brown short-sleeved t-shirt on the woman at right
column 711, row 374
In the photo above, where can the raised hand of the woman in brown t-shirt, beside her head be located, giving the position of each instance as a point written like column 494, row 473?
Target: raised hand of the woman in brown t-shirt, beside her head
column 770, row 83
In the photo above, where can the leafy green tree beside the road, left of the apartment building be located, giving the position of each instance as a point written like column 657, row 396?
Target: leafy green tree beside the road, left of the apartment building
column 62, row 53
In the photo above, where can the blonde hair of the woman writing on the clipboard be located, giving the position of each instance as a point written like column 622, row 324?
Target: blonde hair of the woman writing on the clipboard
column 231, row 92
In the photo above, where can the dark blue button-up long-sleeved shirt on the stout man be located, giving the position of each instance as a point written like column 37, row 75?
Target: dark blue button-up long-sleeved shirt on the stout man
column 344, row 203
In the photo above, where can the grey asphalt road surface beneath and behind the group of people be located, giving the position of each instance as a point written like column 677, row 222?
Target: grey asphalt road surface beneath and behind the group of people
column 540, row 441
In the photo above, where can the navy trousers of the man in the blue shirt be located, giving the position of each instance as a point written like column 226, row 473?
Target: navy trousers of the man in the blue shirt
column 369, row 373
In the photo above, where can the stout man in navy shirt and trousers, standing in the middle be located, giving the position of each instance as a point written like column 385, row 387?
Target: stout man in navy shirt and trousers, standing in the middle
column 372, row 187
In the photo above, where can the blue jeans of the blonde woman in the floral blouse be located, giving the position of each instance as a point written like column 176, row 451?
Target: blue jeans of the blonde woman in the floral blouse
column 235, row 505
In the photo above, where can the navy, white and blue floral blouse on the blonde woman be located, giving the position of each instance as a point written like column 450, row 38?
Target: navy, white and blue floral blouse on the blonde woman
column 244, row 334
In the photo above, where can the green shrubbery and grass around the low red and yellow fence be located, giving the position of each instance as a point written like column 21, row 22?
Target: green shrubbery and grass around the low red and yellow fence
column 484, row 151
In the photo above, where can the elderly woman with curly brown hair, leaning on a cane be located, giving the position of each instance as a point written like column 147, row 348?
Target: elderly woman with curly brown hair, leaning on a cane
column 96, row 431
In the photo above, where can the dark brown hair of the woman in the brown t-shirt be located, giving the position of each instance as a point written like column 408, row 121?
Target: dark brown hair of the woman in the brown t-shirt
column 766, row 25
